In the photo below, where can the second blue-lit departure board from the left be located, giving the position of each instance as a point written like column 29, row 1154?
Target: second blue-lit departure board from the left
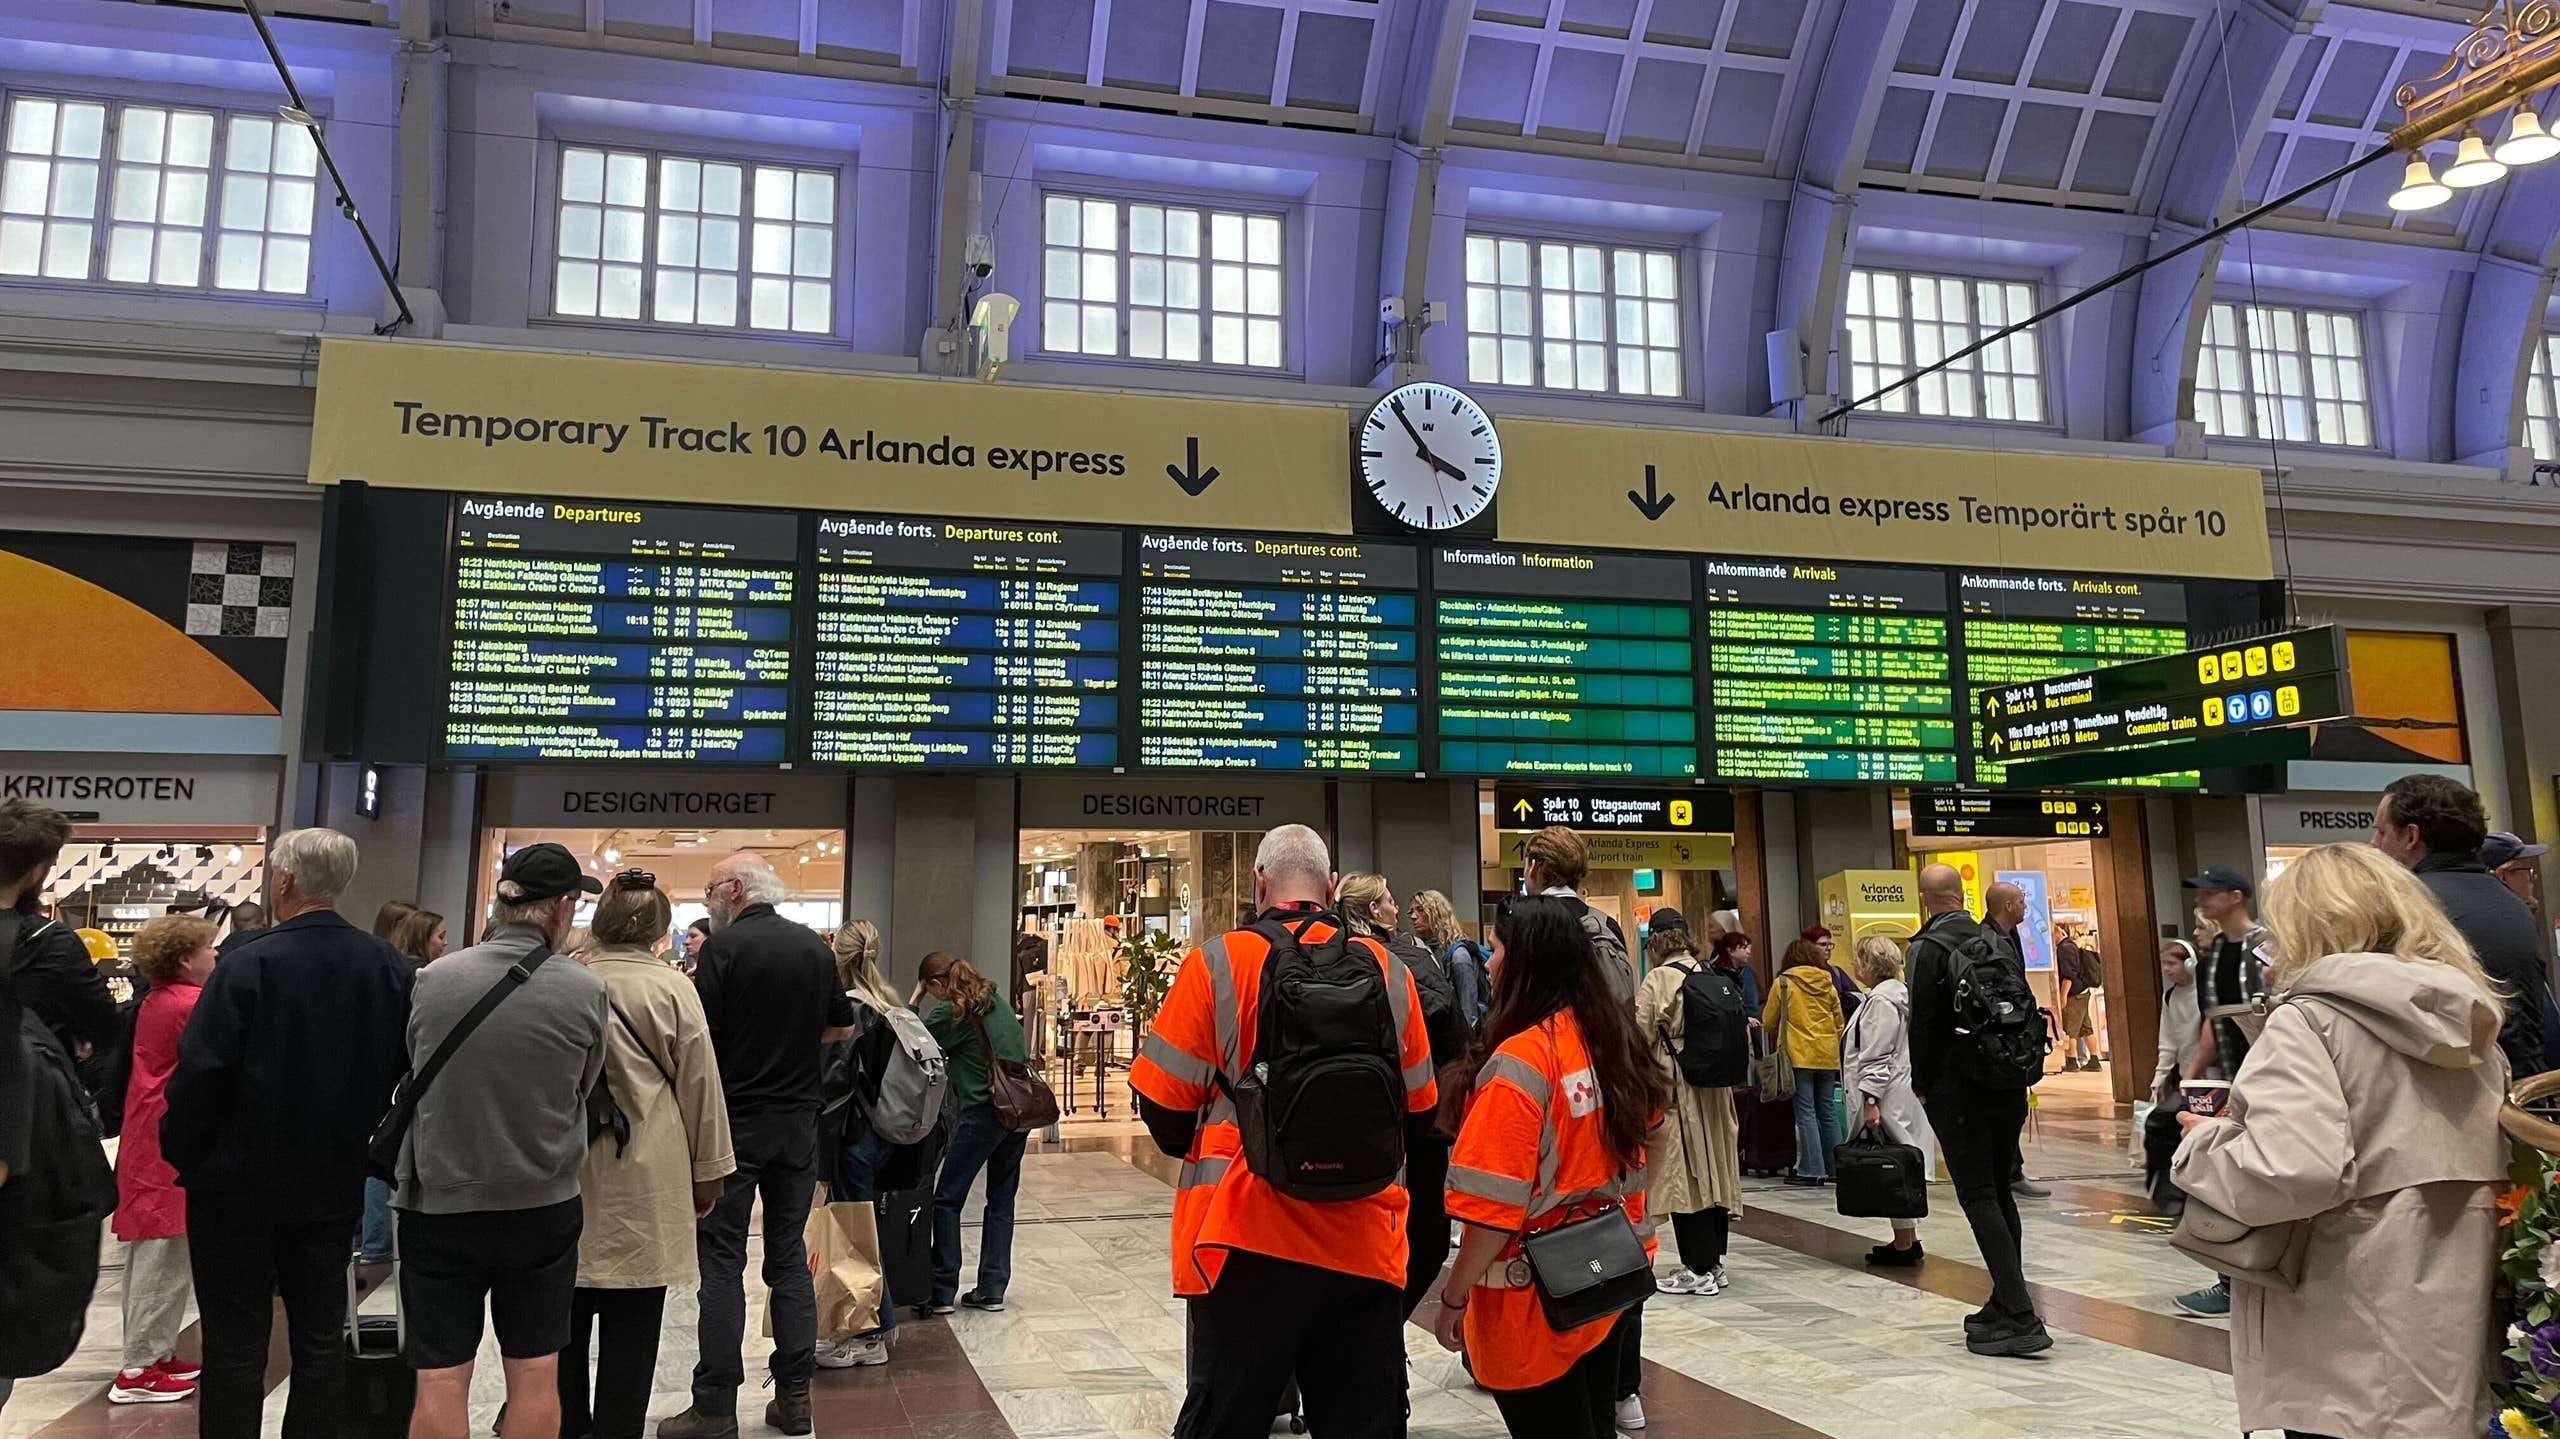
column 966, row 644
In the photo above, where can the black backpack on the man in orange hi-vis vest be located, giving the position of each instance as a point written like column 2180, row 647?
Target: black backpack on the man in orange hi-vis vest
column 1322, row 1107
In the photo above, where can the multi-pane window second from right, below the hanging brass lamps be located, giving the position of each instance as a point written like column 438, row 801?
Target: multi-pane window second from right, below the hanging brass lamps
column 2285, row 375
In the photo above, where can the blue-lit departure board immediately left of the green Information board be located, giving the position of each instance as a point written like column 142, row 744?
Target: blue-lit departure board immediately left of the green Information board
column 1279, row 654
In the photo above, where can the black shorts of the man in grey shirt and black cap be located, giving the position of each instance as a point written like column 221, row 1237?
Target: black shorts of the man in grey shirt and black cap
column 516, row 1264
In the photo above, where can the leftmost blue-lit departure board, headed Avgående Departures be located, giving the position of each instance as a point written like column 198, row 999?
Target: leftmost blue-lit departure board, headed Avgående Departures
column 603, row 631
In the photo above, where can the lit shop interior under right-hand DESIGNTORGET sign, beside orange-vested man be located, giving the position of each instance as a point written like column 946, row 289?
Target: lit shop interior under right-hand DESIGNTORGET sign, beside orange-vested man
column 1100, row 905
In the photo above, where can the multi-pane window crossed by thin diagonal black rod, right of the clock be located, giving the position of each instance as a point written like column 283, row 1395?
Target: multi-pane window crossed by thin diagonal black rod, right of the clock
column 1901, row 324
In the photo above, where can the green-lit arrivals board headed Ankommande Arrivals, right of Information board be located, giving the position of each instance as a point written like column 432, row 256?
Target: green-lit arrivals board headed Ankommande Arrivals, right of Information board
column 1824, row 672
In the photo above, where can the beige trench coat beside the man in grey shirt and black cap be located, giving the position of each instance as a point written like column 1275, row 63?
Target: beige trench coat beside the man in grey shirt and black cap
column 641, row 1202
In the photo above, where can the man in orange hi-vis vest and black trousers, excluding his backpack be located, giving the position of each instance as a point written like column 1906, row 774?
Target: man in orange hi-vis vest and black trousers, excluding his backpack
column 1279, row 1287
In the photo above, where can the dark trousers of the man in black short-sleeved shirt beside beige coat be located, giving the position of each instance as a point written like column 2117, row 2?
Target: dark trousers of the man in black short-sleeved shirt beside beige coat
column 777, row 1159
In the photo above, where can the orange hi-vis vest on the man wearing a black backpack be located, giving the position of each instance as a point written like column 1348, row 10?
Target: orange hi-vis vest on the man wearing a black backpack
column 1207, row 1028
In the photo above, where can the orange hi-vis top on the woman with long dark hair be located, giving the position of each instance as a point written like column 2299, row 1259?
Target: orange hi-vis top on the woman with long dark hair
column 1535, row 1156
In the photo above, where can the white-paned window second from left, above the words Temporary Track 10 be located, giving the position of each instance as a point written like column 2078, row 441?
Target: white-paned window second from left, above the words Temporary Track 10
column 695, row 242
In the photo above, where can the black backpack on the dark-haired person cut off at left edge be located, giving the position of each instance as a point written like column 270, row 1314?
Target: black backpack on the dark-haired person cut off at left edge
column 55, row 1205
